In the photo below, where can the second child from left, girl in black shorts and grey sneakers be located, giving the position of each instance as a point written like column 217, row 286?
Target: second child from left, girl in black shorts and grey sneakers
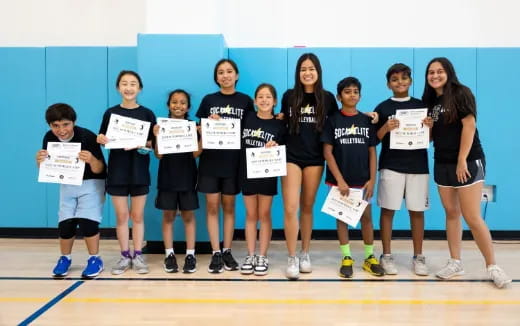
column 128, row 174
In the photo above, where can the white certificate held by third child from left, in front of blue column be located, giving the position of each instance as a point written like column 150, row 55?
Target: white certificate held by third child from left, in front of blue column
column 176, row 136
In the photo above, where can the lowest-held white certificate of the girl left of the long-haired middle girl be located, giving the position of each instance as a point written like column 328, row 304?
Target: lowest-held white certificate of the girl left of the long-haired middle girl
column 265, row 162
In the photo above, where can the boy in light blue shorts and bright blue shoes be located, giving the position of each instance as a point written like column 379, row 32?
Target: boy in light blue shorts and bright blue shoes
column 80, row 206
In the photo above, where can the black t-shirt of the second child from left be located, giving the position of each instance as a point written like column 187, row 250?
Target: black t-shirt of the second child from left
column 128, row 167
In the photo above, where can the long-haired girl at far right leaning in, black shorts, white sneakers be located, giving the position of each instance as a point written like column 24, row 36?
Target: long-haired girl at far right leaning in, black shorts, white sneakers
column 459, row 165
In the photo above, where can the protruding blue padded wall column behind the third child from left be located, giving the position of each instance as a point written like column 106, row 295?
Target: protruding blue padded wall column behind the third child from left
column 167, row 62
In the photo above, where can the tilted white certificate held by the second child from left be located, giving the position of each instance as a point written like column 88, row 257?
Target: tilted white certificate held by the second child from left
column 125, row 132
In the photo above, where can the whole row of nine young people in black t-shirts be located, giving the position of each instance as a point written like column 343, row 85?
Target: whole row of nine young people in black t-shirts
column 314, row 131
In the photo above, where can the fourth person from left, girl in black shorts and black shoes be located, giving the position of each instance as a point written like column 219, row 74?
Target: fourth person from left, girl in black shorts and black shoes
column 218, row 169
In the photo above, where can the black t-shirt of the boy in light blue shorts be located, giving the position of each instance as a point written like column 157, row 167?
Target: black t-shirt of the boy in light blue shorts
column 88, row 142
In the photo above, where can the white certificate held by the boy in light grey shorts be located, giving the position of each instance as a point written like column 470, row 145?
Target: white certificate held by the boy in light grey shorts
column 412, row 133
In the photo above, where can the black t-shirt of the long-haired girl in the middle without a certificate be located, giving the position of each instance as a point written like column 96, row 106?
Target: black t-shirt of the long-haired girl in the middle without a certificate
column 306, row 145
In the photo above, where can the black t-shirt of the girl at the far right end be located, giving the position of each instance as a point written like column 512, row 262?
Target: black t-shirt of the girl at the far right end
column 446, row 137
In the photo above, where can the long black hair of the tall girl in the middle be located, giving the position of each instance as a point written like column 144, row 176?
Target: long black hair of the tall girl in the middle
column 296, row 99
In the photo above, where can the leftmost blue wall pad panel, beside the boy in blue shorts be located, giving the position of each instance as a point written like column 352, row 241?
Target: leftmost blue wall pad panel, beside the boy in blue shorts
column 24, row 201
